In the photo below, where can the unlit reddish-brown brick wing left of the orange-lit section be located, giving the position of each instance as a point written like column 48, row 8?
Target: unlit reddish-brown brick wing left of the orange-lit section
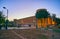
column 29, row 21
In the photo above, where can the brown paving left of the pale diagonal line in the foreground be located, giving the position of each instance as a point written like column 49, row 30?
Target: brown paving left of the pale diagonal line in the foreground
column 7, row 34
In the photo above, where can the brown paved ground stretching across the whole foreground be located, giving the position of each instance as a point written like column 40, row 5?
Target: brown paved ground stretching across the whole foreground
column 16, row 34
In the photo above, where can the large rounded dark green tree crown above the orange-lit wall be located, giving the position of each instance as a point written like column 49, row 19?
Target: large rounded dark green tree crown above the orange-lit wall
column 42, row 13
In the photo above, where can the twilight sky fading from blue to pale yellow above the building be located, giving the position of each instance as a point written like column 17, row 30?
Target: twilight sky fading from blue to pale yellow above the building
column 24, row 8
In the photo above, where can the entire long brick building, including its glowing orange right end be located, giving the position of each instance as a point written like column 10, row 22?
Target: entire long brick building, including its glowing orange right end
column 33, row 22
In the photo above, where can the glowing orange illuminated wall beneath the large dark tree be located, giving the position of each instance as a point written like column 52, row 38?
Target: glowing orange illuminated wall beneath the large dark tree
column 44, row 22
